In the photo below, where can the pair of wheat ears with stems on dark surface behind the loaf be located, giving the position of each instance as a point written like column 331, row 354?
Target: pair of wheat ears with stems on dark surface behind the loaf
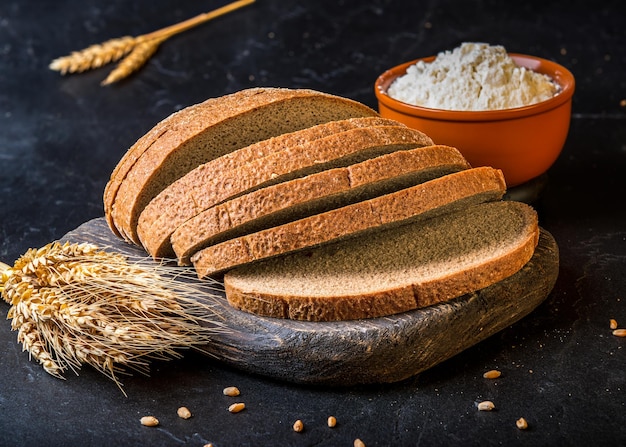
column 137, row 50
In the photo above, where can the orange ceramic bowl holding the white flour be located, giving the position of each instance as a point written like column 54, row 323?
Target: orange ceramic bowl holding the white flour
column 523, row 142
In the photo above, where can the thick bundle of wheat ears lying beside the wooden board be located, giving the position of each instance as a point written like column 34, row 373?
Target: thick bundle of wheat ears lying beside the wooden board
column 75, row 304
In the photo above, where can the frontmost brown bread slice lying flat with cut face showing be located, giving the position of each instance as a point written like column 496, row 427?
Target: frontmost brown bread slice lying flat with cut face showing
column 393, row 271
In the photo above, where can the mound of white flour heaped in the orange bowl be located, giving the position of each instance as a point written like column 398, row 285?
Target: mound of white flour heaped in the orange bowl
column 473, row 76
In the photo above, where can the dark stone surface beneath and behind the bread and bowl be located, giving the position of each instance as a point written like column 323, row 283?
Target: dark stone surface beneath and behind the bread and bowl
column 60, row 137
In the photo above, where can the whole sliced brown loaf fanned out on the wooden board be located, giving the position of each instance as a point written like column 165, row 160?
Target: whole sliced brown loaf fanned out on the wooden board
column 276, row 189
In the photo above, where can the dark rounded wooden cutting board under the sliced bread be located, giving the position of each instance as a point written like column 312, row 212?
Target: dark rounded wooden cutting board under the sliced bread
column 378, row 350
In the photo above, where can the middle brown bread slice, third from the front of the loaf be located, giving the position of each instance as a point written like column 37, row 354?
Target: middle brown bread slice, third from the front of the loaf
column 313, row 194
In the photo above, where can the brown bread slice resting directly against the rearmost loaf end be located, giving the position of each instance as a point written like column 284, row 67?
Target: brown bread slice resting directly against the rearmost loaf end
column 201, row 189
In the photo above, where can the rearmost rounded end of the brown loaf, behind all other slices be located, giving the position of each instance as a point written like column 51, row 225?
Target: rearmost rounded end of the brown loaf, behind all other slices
column 206, row 131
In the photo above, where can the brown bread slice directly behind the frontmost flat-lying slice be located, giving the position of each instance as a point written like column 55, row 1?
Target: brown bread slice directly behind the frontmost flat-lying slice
column 435, row 197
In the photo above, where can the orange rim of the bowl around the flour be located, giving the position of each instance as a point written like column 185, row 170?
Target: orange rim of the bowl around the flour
column 557, row 72
